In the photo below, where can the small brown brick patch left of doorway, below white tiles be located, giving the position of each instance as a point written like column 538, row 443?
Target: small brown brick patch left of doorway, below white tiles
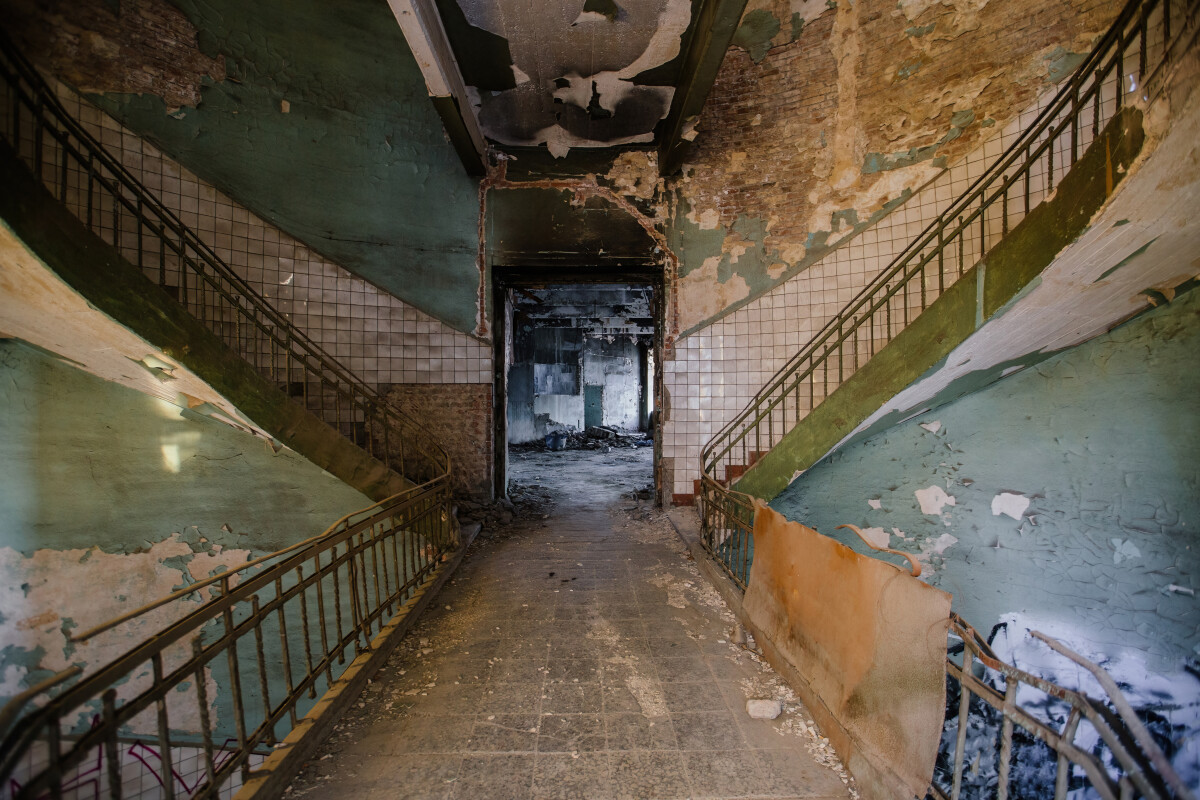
column 460, row 418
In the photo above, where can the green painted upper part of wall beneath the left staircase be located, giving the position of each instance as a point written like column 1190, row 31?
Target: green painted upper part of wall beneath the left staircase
column 141, row 471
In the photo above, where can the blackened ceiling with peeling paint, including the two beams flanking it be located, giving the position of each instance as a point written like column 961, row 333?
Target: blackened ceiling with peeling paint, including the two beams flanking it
column 530, row 77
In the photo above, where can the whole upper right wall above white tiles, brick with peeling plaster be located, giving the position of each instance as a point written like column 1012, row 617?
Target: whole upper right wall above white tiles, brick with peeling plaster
column 826, row 117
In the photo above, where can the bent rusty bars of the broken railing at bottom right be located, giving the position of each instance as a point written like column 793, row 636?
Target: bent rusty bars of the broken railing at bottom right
column 1132, row 772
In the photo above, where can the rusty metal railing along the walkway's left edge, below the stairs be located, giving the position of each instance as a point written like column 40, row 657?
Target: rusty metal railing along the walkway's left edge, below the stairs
column 224, row 684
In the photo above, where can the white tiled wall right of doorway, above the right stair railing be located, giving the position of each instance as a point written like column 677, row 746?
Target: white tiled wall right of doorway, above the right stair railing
column 717, row 371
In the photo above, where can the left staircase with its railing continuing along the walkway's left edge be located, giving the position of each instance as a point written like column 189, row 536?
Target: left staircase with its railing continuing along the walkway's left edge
column 262, row 659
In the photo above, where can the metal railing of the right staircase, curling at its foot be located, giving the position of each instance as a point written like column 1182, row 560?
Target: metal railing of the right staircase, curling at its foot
column 1131, row 58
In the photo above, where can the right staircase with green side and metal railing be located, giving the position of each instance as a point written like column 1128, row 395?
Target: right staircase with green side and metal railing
column 1054, row 177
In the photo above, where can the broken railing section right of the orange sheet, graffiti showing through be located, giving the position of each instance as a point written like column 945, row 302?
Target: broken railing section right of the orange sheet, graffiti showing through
column 1119, row 761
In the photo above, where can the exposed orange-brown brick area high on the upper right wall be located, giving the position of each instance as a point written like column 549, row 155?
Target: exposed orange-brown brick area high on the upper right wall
column 788, row 141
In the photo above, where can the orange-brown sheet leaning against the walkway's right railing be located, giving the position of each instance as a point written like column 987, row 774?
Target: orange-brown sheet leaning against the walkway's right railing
column 867, row 637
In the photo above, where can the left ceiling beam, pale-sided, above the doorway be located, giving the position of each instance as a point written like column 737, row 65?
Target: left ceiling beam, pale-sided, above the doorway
column 428, row 39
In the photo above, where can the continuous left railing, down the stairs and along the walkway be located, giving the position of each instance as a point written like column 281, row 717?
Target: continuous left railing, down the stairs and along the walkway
column 219, row 684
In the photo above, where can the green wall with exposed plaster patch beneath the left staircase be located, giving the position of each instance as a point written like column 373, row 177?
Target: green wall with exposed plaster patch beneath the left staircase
column 111, row 498
